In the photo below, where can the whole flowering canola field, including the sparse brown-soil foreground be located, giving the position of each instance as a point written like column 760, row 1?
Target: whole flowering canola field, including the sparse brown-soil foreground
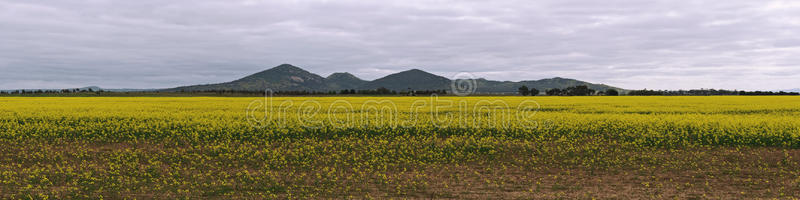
column 400, row 147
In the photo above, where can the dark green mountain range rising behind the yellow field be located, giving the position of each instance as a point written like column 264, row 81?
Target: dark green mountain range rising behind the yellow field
column 287, row 77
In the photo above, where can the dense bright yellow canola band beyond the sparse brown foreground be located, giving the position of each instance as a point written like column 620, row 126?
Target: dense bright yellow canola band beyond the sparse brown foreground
column 647, row 121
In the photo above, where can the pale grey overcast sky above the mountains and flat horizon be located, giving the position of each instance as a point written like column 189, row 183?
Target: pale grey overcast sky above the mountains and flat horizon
column 730, row 44
